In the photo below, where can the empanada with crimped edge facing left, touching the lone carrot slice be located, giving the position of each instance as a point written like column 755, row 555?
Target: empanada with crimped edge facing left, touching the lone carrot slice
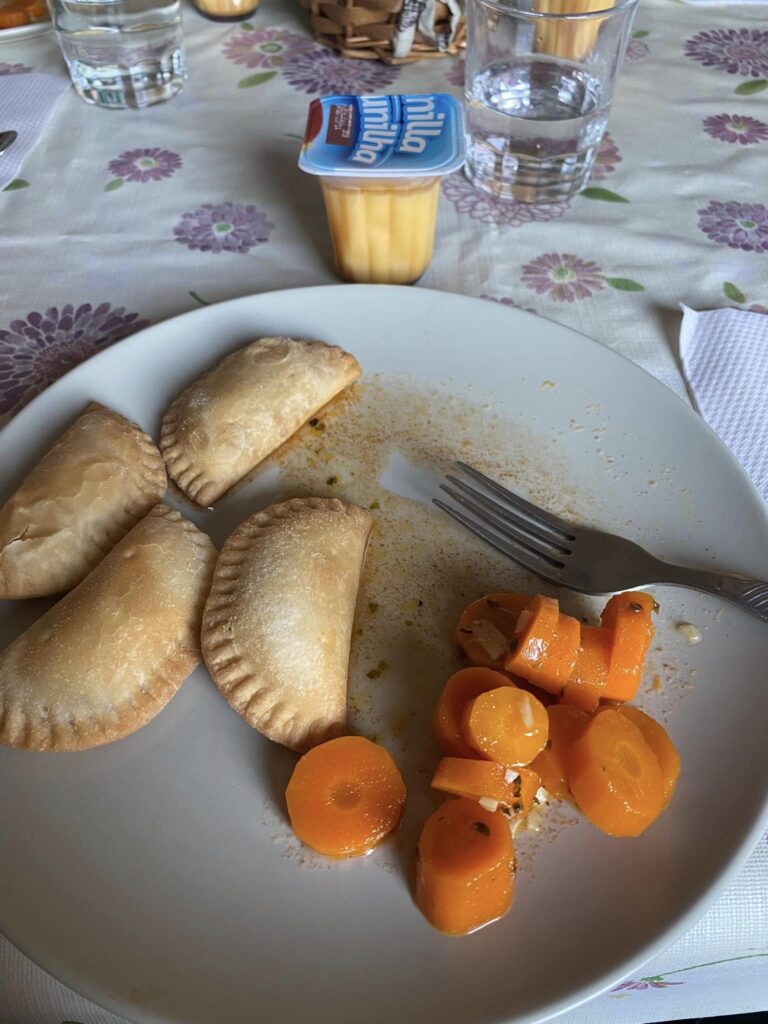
column 278, row 624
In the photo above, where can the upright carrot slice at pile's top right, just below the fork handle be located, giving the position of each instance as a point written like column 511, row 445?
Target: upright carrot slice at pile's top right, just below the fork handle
column 629, row 617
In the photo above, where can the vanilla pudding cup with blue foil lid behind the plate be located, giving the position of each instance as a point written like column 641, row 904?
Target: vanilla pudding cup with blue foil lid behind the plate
column 380, row 160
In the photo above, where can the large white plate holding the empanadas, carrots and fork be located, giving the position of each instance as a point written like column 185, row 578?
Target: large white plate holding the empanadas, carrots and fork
column 143, row 874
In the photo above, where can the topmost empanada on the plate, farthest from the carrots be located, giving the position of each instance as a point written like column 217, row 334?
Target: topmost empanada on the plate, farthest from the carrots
column 246, row 407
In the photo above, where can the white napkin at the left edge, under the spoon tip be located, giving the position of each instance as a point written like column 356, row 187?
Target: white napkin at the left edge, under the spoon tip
column 27, row 103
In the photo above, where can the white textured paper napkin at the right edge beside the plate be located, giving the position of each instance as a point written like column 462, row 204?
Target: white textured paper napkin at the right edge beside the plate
column 726, row 361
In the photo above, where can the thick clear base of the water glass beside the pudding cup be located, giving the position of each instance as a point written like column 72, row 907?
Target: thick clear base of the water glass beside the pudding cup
column 526, row 180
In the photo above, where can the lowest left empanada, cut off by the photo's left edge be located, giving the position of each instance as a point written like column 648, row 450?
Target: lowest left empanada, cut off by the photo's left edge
column 105, row 660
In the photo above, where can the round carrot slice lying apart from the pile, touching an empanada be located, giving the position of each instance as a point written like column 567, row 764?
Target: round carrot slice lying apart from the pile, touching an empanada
column 345, row 797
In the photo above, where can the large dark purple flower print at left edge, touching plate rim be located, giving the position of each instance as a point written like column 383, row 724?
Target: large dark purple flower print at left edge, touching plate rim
column 39, row 350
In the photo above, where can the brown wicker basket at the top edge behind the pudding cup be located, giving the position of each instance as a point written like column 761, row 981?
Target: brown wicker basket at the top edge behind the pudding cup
column 366, row 29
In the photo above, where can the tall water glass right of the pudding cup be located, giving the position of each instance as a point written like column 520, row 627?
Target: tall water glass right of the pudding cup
column 539, row 86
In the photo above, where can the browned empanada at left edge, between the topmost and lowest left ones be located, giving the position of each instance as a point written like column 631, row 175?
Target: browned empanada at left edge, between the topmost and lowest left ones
column 100, row 479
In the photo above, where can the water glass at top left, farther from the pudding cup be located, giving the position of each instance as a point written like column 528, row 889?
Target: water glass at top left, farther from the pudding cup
column 122, row 53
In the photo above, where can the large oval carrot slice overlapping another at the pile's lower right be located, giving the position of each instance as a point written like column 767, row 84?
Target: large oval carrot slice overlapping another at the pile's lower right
column 615, row 776
